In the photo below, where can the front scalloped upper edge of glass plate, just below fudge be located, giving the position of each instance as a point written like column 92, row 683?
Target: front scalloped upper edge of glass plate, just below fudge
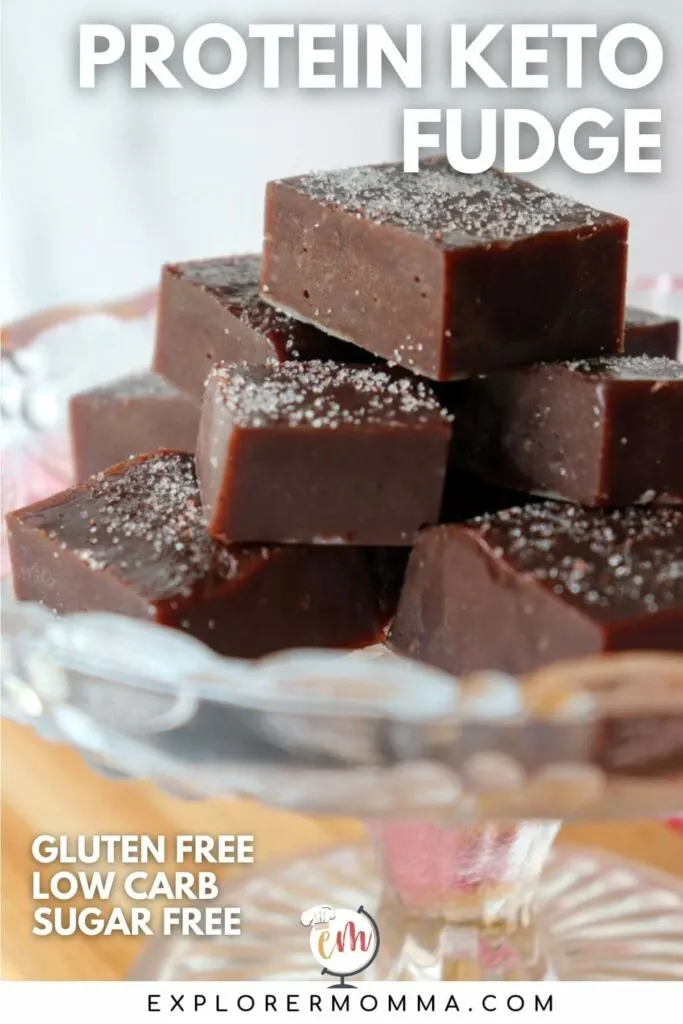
column 373, row 684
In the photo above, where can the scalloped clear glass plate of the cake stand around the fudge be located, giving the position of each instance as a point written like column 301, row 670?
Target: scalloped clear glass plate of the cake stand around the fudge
column 324, row 715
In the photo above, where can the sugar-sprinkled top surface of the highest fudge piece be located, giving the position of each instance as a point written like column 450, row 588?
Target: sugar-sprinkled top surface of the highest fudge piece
column 452, row 209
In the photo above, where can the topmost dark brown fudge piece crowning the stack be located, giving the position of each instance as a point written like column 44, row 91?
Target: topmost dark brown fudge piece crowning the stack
column 448, row 275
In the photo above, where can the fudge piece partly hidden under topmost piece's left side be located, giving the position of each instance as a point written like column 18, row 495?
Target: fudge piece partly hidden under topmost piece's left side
column 210, row 312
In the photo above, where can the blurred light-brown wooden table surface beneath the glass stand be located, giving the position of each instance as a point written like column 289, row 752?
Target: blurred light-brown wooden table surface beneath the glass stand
column 48, row 789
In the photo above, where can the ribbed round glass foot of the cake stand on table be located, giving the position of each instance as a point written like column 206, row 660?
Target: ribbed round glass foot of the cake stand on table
column 600, row 919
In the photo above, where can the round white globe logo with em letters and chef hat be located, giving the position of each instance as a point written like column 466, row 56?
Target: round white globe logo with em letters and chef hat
column 344, row 943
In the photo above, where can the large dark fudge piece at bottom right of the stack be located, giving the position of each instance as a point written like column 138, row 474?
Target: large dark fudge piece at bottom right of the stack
column 529, row 586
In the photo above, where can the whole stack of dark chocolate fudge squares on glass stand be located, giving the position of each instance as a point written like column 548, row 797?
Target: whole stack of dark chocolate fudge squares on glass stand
column 434, row 371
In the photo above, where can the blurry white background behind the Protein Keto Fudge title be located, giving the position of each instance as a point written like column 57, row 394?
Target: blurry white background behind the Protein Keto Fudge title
column 101, row 187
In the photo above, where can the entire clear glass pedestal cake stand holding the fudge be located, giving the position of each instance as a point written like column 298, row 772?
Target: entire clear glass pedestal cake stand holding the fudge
column 464, row 783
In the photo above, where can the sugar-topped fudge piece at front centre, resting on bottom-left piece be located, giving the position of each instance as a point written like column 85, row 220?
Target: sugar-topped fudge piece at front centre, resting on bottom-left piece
column 319, row 453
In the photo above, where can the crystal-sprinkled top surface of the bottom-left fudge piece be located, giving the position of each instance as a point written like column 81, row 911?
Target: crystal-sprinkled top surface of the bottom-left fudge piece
column 144, row 522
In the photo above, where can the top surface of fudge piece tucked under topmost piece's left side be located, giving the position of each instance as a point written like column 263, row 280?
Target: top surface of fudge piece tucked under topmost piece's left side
column 235, row 282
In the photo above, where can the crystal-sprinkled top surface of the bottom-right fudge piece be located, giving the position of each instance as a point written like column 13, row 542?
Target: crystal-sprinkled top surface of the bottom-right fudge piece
column 608, row 564
